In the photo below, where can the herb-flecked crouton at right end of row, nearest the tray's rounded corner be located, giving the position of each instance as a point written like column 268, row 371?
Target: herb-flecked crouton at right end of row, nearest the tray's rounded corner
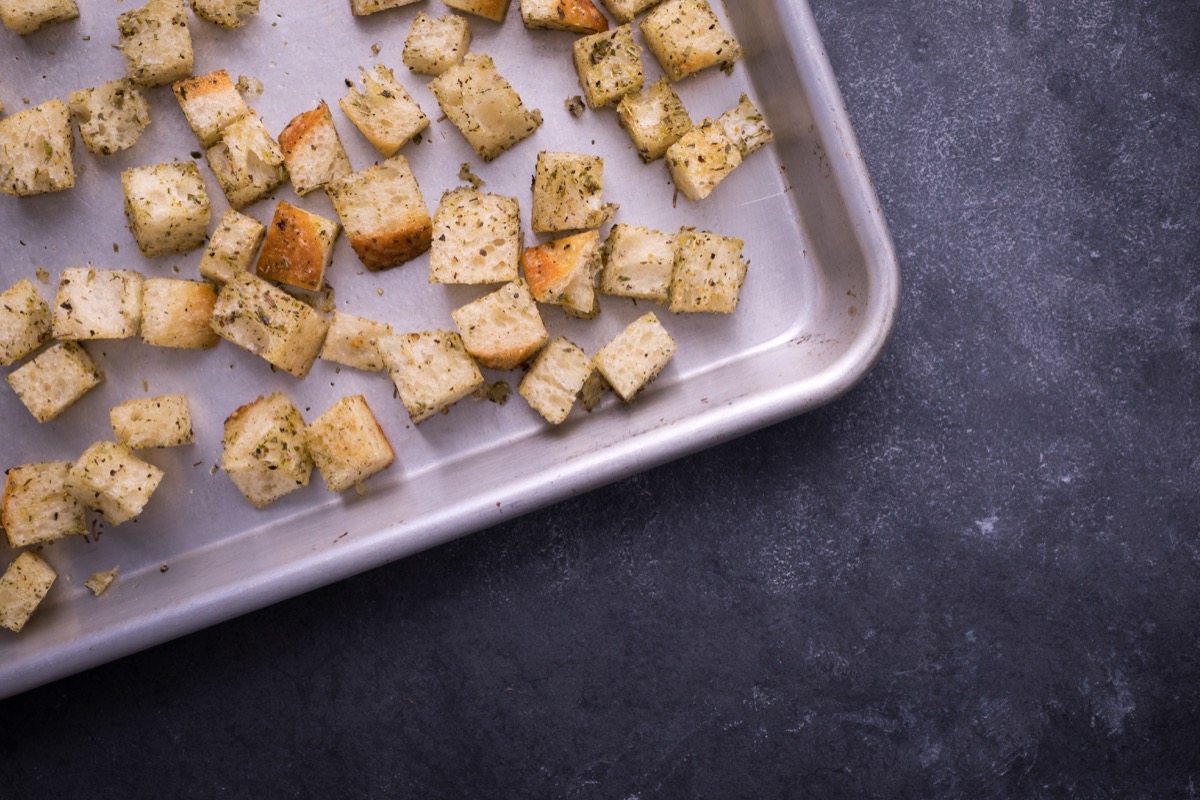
column 709, row 273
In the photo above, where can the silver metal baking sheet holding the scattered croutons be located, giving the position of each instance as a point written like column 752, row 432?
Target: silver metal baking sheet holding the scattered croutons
column 818, row 308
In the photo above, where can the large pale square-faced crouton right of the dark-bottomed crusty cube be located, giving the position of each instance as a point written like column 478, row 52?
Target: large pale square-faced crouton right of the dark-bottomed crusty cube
column 477, row 239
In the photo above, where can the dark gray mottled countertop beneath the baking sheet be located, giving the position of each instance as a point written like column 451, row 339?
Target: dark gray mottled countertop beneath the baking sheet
column 976, row 576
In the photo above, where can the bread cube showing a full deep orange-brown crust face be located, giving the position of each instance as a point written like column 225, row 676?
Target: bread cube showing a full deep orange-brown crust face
column 298, row 249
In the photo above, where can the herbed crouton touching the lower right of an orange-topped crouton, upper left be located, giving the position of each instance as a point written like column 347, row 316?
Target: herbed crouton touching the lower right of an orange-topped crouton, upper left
column 248, row 163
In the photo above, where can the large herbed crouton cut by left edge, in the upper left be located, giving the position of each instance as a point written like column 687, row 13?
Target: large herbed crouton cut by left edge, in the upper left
column 38, row 151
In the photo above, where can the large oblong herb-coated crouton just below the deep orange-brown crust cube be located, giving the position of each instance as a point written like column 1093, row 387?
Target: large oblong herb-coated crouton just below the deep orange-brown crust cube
column 271, row 323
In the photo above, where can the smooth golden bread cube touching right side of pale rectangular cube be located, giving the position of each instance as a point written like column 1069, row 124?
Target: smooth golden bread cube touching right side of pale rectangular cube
column 178, row 314
